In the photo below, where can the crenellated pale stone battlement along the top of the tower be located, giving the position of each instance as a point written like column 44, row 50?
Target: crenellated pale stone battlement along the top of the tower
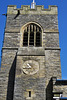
column 25, row 9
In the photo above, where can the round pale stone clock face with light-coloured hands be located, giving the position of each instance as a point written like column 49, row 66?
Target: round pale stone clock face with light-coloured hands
column 30, row 67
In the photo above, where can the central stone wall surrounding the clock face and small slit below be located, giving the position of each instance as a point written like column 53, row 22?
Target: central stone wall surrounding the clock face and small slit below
column 34, row 83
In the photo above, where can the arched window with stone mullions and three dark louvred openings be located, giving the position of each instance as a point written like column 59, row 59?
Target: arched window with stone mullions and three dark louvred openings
column 32, row 35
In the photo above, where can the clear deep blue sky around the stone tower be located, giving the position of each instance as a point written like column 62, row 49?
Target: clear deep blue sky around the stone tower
column 62, row 21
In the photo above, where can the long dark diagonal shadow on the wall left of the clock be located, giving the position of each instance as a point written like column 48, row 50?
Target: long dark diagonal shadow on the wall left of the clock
column 10, row 89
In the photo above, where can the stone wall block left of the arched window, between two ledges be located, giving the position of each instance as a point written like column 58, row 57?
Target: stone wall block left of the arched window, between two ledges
column 11, row 39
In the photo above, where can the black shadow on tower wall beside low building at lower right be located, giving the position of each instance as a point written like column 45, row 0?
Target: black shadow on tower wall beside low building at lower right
column 49, row 89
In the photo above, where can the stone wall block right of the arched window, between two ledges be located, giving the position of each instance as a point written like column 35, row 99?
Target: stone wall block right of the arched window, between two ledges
column 51, row 39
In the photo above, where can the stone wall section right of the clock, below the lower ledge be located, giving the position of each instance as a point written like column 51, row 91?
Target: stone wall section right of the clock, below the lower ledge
column 53, row 69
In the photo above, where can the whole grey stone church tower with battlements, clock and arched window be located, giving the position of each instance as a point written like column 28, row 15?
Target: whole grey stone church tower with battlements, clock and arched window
column 30, row 54
